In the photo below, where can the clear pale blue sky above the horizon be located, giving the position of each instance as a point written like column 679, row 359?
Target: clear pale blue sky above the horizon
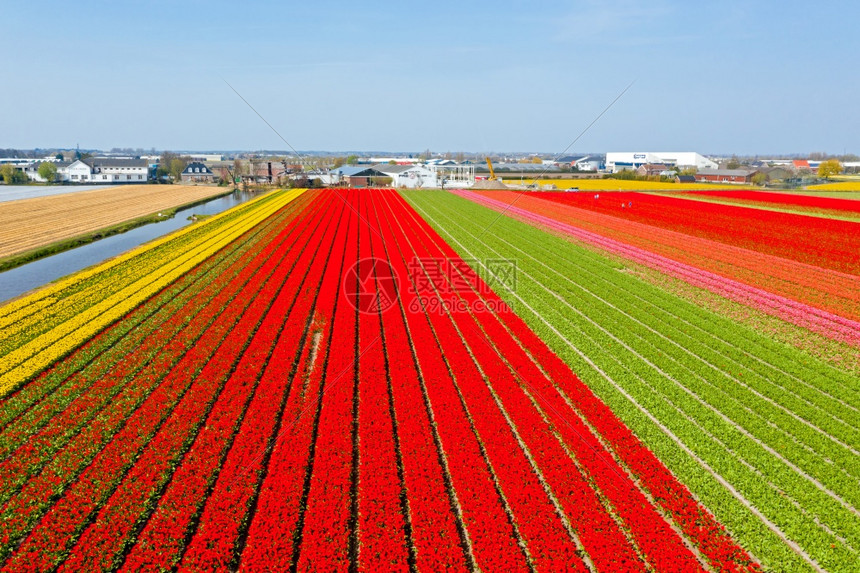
column 716, row 77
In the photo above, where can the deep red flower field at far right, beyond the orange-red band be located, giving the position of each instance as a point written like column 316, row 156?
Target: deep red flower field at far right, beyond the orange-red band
column 770, row 232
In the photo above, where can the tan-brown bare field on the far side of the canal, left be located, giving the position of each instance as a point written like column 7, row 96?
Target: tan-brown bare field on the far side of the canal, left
column 28, row 224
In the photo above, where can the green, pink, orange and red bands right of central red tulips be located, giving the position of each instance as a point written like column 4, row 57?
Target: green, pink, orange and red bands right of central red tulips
column 764, row 435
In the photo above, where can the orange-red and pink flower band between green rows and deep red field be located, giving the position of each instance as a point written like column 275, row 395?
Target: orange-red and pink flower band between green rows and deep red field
column 833, row 292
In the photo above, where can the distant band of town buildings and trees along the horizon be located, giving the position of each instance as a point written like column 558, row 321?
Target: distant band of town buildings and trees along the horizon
column 408, row 170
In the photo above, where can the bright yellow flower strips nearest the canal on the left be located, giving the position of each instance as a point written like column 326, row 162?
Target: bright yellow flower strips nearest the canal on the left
column 26, row 360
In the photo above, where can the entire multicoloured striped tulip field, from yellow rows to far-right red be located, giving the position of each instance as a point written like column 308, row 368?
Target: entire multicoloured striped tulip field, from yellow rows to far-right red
column 374, row 380
